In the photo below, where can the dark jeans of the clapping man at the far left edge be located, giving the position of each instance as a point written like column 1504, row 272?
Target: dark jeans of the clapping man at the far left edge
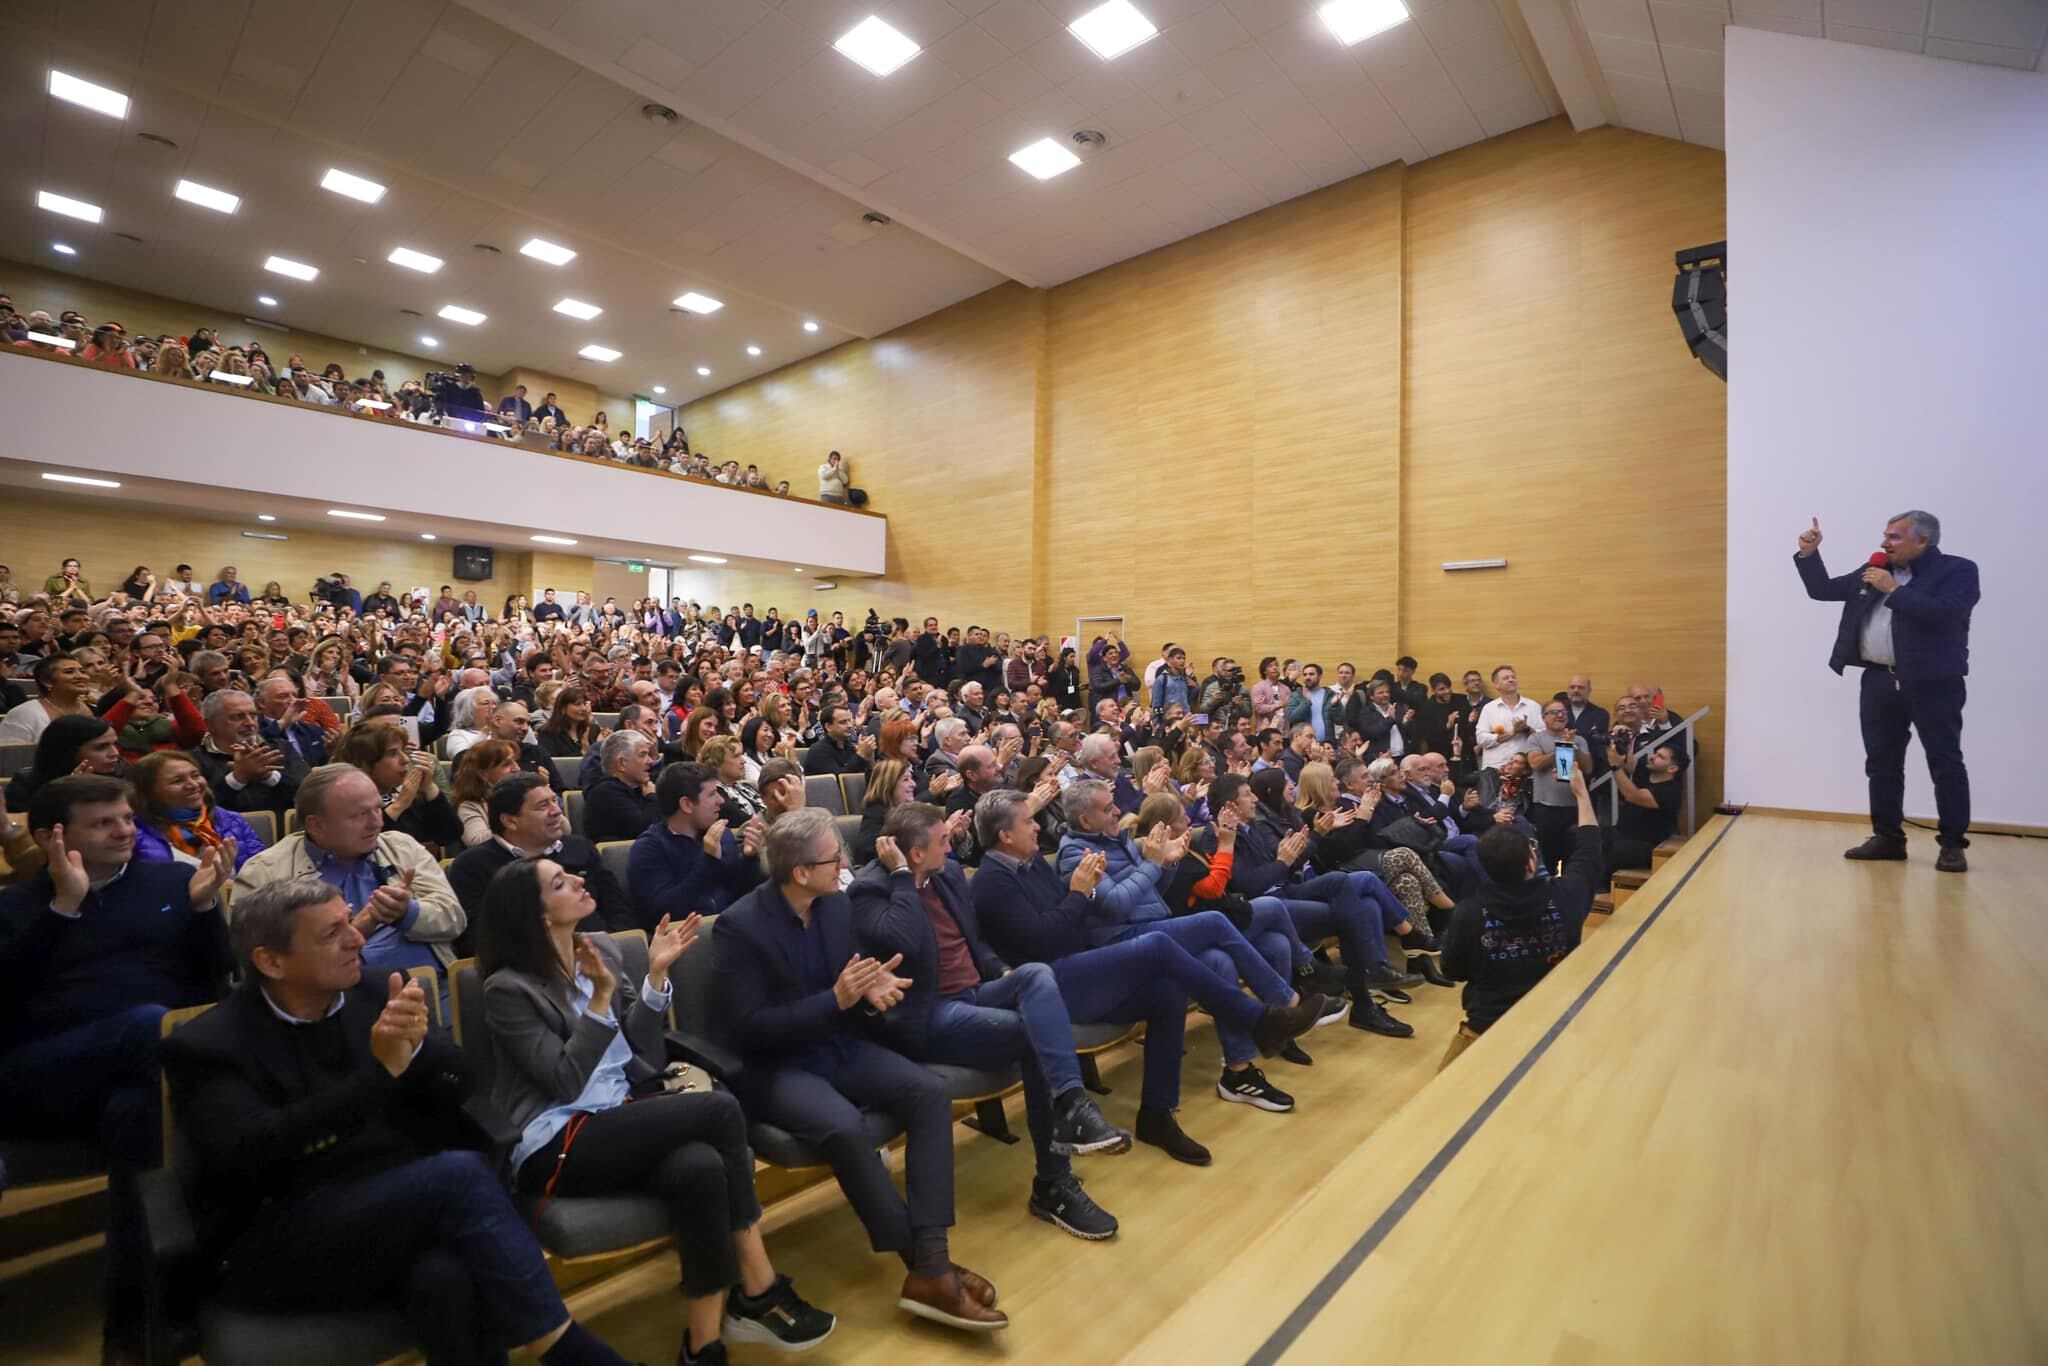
column 99, row 1082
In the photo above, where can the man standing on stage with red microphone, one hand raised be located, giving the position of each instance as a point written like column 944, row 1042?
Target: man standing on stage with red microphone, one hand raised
column 1906, row 620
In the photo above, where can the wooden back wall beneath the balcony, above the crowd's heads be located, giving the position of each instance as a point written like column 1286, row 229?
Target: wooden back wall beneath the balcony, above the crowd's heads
column 112, row 538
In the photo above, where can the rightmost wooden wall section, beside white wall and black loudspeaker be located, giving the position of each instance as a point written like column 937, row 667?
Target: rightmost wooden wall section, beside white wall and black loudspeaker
column 1558, row 421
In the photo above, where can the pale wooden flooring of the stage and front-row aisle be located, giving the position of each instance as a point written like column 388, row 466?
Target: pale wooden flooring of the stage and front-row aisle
column 1779, row 1109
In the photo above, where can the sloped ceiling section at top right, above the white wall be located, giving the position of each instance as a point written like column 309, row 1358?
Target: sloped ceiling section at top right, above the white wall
column 1662, row 58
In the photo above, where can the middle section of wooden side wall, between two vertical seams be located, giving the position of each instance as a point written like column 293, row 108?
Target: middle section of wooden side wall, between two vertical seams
column 1226, row 435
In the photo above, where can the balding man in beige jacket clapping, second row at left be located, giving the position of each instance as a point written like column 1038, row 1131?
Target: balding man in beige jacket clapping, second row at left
column 398, row 898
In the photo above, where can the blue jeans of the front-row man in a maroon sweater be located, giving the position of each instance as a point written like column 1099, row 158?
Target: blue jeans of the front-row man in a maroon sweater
column 1019, row 1019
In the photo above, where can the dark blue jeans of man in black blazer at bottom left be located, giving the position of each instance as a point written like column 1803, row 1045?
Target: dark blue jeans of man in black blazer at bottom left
column 437, row 1234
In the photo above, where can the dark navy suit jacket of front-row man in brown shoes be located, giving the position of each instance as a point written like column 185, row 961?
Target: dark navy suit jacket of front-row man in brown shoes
column 769, row 1007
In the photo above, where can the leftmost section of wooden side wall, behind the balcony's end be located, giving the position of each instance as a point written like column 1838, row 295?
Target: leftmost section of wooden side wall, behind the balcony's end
column 939, row 425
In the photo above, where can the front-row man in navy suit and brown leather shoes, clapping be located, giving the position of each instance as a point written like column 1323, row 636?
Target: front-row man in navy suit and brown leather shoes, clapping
column 808, row 1011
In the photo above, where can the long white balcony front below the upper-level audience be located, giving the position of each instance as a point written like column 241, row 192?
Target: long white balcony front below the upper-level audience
column 222, row 441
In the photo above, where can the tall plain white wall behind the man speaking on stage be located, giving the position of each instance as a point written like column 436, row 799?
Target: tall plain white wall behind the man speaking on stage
column 1887, row 218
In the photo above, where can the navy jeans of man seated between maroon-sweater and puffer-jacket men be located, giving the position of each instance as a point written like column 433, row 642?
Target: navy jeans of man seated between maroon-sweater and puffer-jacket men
column 1152, row 978
